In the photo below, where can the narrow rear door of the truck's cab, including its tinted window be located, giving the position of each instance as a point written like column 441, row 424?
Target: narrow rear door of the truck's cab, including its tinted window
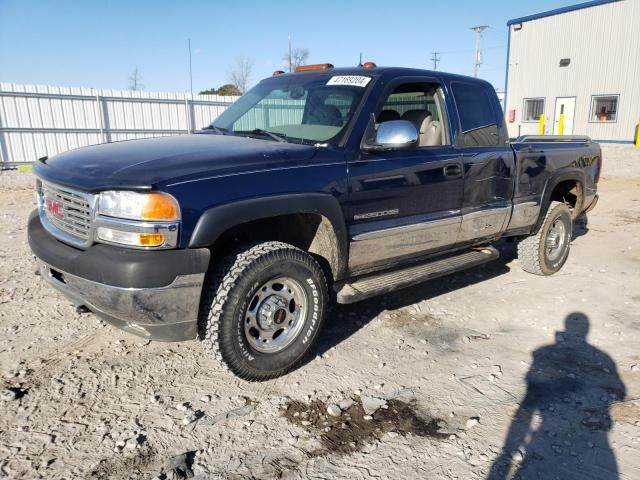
column 488, row 163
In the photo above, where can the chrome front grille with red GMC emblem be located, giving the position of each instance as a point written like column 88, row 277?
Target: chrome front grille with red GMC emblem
column 67, row 211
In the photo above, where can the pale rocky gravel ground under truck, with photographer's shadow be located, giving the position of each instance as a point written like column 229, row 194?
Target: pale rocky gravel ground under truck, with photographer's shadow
column 476, row 375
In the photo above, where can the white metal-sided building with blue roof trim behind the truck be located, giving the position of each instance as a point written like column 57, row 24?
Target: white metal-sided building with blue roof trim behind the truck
column 582, row 61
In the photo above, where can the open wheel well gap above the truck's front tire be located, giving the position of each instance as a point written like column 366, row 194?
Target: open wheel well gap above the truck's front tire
column 310, row 232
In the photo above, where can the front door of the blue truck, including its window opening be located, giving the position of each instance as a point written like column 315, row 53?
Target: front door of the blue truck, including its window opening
column 404, row 203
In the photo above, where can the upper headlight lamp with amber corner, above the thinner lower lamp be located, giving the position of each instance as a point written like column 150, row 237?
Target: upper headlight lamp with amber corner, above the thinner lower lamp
column 138, row 206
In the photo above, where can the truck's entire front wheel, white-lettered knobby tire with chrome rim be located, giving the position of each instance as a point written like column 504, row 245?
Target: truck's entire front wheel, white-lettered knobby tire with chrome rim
column 251, row 295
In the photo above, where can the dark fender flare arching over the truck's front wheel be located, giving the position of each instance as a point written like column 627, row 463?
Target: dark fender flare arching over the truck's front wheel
column 214, row 221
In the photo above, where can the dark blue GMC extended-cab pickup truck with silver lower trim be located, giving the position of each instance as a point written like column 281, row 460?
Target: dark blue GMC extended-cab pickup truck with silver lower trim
column 327, row 184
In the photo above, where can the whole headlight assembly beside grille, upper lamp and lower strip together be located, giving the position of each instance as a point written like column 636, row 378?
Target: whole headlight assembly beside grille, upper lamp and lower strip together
column 143, row 220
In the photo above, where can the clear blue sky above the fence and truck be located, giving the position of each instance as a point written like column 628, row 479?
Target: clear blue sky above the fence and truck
column 99, row 43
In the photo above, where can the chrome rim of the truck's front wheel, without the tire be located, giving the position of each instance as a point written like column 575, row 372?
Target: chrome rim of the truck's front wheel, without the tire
column 276, row 315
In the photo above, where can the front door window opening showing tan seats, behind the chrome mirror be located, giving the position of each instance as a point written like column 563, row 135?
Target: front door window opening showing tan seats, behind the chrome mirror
column 420, row 104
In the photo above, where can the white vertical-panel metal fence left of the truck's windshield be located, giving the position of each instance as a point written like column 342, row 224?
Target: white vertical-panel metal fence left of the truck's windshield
column 38, row 120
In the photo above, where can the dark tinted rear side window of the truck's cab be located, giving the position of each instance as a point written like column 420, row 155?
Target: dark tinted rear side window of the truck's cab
column 478, row 119
